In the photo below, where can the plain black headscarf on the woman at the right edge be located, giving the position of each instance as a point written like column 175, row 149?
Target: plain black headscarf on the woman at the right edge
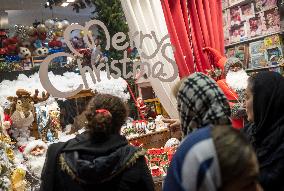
column 268, row 107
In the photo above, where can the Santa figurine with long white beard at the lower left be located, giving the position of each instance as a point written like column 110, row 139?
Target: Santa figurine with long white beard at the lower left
column 34, row 155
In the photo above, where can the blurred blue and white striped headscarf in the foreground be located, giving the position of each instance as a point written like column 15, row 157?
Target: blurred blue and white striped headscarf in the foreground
column 195, row 166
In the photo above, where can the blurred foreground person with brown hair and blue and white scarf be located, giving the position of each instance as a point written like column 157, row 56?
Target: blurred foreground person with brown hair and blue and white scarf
column 212, row 159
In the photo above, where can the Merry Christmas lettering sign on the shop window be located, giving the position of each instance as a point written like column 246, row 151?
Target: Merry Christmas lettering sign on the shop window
column 155, row 70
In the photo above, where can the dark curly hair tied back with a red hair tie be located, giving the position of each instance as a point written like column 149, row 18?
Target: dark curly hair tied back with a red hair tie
column 105, row 115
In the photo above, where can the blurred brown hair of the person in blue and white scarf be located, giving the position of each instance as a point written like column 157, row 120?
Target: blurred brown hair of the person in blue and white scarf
column 234, row 153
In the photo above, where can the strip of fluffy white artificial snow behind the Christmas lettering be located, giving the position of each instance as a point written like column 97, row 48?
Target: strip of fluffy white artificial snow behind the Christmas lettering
column 67, row 82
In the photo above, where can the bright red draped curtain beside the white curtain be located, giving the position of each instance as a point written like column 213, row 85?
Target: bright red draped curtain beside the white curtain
column 193, row 25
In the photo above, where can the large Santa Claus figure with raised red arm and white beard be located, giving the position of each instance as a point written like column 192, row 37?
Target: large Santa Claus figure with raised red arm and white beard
column 233, row 84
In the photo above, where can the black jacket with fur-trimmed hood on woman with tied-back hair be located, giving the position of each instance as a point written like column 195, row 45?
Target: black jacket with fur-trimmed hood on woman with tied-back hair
column 81, row 165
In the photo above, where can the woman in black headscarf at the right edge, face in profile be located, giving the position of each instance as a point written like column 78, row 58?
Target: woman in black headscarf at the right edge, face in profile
column 265, row 106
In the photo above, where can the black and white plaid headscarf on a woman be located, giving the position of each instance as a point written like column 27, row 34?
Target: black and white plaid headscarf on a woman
column 201, row 102
